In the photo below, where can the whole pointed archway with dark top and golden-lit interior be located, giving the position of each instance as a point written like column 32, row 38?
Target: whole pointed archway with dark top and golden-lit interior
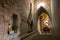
column 43, row 21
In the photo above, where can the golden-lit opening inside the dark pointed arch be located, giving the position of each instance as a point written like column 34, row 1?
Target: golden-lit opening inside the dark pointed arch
column 44, row 23
